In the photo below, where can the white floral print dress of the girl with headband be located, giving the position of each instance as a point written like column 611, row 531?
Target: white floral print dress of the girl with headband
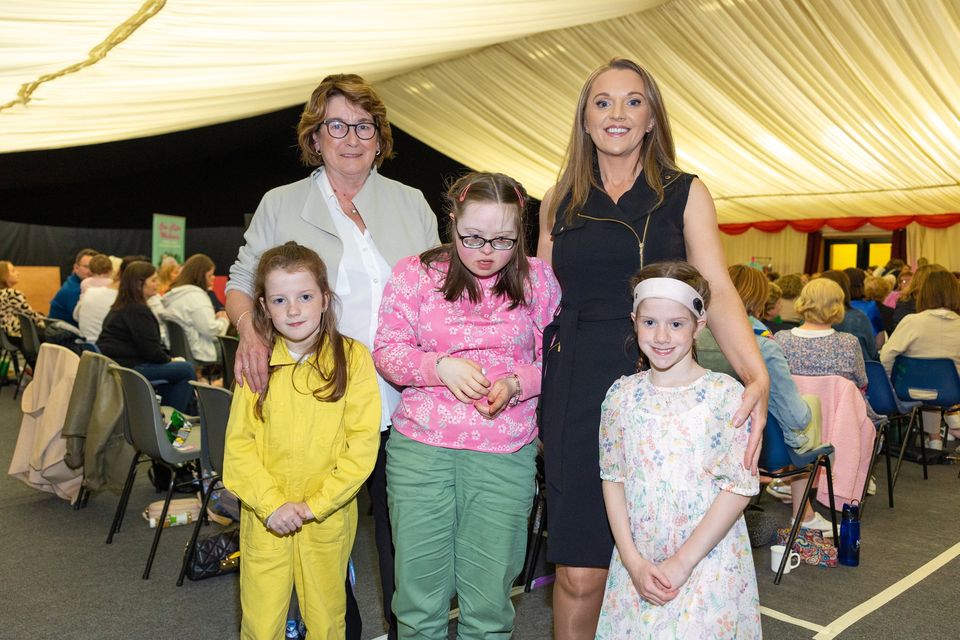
column 674, row 449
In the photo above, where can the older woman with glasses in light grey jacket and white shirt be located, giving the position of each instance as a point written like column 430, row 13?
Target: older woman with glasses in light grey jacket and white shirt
column 360, row 223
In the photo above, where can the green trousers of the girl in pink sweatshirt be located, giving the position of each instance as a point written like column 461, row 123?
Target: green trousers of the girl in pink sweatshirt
column 459, row 523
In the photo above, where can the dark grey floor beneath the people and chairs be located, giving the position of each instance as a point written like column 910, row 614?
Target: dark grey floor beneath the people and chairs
column 59, row 579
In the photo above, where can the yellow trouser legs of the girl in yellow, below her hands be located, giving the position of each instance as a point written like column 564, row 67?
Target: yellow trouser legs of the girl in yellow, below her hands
column 314, row 559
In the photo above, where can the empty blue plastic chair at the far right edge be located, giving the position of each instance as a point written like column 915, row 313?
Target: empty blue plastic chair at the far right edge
column 931, row 381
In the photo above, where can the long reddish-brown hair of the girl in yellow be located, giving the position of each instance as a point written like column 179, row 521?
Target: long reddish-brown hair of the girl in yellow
column 292, row 257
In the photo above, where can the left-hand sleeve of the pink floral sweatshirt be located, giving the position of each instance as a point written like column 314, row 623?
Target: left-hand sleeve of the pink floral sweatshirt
column 396, row 350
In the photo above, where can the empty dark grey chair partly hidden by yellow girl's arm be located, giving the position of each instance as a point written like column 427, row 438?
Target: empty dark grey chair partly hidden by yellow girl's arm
column 214, row 405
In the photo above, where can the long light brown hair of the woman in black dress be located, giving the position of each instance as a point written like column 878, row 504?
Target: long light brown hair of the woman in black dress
column 657, row 152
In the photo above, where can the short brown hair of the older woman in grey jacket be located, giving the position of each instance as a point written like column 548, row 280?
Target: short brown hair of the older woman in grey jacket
column 357, row 92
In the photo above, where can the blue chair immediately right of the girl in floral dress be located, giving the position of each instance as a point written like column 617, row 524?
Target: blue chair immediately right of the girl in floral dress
column 775, row 456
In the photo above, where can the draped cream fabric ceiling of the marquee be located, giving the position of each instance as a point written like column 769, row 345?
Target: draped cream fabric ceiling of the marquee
column 787, row 109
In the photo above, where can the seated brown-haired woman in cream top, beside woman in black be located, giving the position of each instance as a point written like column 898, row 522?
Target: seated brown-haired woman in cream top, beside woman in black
column 188, row 304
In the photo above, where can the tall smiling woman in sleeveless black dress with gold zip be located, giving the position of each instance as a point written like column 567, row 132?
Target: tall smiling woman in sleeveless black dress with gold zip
column 620, row 203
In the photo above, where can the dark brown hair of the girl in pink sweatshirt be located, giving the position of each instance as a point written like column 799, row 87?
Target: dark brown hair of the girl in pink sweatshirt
column 482, row 188
